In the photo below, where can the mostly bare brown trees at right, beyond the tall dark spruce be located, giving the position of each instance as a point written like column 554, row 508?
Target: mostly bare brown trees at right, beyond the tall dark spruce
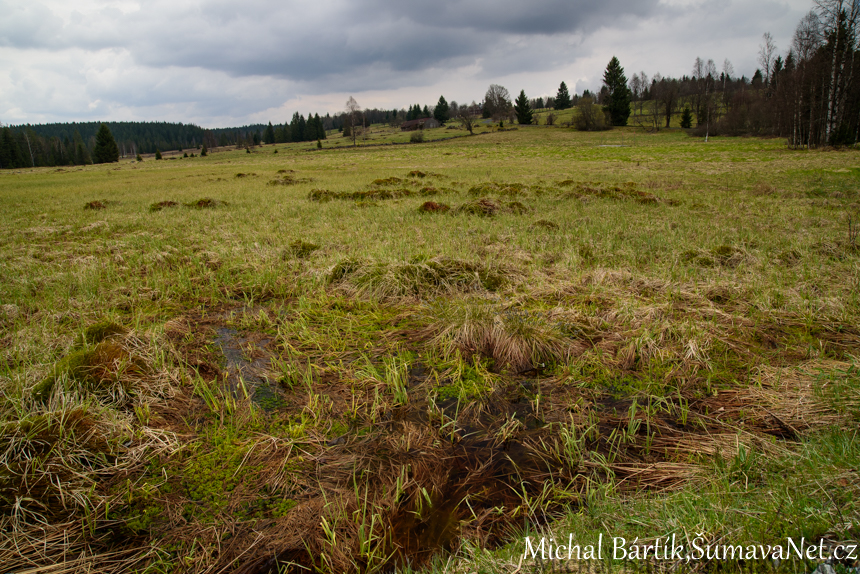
column 809, row 94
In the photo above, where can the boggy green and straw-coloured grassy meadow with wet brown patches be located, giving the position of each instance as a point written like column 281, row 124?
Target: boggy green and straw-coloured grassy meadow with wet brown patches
column 412, row 356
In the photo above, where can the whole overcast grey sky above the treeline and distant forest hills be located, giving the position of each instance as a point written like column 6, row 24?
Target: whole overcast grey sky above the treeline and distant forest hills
column 220, row 63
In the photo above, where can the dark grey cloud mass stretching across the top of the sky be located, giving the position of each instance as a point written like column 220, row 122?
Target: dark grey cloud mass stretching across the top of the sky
column 310, row 42
